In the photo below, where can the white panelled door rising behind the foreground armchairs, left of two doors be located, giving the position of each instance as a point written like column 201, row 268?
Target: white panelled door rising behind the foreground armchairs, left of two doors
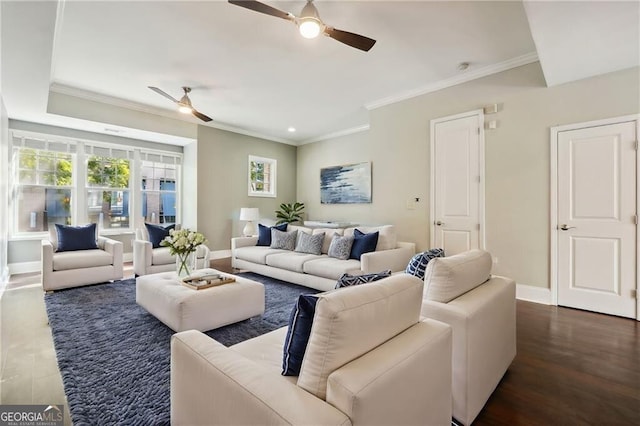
column 456, row 179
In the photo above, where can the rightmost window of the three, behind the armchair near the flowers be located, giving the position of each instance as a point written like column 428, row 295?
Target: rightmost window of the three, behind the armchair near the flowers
column 159, row 192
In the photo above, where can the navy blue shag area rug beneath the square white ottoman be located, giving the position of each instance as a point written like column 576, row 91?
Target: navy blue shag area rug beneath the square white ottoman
column 114, row 356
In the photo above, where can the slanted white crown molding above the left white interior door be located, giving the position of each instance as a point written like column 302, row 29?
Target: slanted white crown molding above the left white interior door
column 454, row 81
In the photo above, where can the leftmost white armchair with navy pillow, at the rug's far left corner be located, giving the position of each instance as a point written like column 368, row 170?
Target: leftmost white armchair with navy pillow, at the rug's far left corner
column 81, row 267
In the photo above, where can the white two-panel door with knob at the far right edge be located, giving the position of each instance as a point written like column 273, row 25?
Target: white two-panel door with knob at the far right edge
column 597, row 219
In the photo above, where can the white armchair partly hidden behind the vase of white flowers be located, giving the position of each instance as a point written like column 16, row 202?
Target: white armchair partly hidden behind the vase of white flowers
column 149, row 260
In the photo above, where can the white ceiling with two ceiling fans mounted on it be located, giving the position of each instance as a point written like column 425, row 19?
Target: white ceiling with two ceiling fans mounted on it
column 75, row 63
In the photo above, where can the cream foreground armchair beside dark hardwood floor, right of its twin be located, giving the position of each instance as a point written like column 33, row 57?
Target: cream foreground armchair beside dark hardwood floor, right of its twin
column 460, row 291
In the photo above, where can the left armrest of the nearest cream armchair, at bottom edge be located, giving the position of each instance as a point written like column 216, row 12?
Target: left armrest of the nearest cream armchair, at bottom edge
column 212, row 384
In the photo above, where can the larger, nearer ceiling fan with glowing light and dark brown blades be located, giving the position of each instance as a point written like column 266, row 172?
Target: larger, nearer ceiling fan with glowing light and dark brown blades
column 309, row 23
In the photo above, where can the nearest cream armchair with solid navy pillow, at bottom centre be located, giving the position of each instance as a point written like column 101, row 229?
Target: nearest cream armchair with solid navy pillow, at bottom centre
column 370, row 360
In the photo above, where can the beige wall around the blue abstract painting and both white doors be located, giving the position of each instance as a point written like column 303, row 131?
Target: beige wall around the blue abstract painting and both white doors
column 517, row 159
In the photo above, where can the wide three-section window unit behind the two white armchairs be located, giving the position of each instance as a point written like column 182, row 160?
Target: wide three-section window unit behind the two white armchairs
column 62, row 180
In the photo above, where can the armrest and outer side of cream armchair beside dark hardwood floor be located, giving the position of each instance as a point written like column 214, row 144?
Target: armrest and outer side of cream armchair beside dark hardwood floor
column 484, row 341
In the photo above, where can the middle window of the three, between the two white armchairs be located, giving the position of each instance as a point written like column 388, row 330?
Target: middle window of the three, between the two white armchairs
column 108, row 191
